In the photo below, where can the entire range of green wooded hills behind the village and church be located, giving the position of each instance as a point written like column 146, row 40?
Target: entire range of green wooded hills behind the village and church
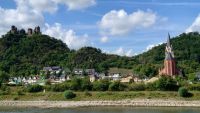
column 23, row 55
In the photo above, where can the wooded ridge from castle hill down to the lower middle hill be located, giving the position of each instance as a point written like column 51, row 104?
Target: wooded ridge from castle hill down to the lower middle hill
column 23, row 55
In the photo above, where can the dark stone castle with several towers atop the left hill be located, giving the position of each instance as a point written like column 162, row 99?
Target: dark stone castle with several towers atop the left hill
column 22, row 31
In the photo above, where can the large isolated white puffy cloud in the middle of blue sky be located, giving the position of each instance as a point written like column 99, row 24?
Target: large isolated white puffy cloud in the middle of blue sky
column 119, row 22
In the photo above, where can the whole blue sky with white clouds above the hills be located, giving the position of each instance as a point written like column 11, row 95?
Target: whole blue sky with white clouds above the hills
column 123, row 27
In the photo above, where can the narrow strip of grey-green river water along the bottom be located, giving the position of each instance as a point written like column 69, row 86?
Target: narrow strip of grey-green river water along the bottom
column 103, row 110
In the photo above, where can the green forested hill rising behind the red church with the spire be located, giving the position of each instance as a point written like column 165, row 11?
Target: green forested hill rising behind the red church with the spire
column 187, row 53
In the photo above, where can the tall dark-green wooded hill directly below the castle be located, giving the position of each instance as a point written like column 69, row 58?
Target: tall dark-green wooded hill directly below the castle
column 25, row 55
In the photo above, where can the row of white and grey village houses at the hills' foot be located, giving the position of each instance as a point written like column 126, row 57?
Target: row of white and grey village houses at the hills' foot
column 57, row 74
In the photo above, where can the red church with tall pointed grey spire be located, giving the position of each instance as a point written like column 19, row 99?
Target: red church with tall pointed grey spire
column 170, row 68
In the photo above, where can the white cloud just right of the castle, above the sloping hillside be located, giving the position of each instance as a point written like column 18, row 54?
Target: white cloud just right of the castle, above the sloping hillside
column 67, row 36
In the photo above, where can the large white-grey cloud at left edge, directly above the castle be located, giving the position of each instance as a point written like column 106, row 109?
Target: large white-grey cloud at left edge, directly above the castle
column 22, row 17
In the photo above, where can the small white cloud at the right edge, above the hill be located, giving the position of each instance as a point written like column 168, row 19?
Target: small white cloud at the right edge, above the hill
column 195, row 25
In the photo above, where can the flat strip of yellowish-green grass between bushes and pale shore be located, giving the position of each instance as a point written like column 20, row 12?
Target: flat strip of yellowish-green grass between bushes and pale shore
column 108, row 95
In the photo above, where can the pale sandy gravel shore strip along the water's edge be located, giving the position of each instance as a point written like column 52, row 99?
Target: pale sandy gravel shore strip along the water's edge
column 71, row 104
